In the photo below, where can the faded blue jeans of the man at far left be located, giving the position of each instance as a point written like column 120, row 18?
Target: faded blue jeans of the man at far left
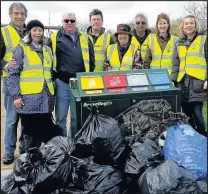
column 11, row 123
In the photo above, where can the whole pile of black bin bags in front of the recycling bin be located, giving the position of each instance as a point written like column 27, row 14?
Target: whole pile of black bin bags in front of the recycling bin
column 107, row 156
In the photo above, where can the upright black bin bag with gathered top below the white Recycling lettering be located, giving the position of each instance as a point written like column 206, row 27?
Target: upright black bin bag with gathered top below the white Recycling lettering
column 100, row 137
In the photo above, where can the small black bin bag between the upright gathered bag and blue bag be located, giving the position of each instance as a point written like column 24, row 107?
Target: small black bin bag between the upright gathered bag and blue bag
column 144, row 153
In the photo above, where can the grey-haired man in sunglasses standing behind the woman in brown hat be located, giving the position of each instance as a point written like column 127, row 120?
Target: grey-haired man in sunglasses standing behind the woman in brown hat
column 141, row 33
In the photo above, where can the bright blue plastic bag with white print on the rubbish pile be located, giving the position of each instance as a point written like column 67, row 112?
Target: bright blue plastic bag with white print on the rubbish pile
column 188, row 148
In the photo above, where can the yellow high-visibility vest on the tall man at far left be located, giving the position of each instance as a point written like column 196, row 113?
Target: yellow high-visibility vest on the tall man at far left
column 11, row 39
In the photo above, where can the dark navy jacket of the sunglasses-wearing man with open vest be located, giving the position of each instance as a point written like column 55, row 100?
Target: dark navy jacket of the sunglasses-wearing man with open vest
column 69, row 56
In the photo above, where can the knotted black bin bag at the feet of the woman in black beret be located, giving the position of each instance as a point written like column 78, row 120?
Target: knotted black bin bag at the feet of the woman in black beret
column 45, row 169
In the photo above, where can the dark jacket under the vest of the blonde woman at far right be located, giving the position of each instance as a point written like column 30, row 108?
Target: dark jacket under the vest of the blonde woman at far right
column 192, row 88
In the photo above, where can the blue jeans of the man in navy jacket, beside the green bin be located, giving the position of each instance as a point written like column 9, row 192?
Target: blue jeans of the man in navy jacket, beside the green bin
column 62, row 105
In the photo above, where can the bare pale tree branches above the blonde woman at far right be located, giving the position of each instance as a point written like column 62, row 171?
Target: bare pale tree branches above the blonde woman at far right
column 199, row 10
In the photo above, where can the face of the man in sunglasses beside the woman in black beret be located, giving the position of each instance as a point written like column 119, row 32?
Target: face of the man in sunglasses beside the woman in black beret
column 69, row 23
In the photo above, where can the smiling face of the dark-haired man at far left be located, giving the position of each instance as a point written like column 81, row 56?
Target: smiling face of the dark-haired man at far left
column 18, row 17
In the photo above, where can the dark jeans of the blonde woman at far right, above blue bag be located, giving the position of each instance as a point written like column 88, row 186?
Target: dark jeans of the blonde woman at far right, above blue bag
column 194, row 111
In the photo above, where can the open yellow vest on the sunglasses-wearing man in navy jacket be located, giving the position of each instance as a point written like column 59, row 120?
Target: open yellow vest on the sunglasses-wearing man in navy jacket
column 84, row 48
